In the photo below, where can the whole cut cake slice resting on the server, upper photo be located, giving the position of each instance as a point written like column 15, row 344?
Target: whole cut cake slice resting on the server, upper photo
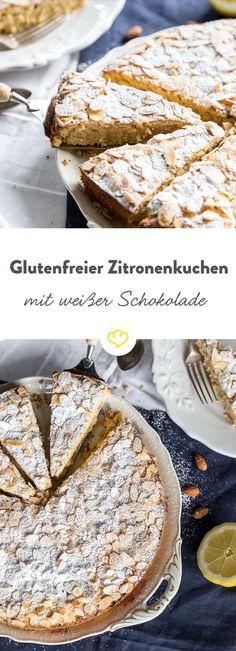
column 89, row 111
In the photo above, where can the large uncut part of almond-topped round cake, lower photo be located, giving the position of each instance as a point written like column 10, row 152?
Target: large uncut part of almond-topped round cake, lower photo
column 90, row 545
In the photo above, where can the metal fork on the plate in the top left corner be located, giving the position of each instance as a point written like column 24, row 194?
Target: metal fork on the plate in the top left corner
column 13, row 41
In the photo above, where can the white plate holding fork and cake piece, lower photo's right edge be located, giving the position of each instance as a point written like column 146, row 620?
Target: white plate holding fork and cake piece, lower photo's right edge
column 206, row 423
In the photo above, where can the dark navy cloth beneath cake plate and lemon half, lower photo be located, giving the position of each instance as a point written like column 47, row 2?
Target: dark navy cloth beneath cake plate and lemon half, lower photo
column 201, row 617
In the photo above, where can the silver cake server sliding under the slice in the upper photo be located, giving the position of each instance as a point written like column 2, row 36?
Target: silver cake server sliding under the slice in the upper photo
column 38, row 108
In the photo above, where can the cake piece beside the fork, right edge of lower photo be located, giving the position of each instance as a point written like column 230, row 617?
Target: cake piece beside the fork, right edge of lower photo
column 223, row 361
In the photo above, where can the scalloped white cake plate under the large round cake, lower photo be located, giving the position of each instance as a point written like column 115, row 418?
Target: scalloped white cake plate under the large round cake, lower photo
column 167, row 562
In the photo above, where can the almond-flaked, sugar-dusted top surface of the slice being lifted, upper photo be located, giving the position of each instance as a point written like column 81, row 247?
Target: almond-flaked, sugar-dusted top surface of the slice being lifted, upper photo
column 83, row 98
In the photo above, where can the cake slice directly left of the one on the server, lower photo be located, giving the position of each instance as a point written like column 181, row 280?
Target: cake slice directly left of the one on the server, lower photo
column 20, row 436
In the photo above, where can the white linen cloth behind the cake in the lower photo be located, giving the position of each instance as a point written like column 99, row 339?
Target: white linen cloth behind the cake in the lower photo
column 25, row 358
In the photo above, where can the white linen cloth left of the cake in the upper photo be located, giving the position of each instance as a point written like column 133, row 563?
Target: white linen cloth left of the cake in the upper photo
column 32, row 193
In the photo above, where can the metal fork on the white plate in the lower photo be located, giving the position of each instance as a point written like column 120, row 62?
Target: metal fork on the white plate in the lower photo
column 198, row 376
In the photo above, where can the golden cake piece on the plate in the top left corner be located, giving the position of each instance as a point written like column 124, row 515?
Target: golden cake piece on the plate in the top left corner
column 19, row 15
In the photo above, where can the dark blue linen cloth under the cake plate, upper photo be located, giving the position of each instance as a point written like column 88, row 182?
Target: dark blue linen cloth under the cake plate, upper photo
column 151, row 15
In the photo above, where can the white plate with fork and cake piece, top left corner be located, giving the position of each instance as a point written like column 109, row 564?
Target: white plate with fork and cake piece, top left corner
column 79, row 30
